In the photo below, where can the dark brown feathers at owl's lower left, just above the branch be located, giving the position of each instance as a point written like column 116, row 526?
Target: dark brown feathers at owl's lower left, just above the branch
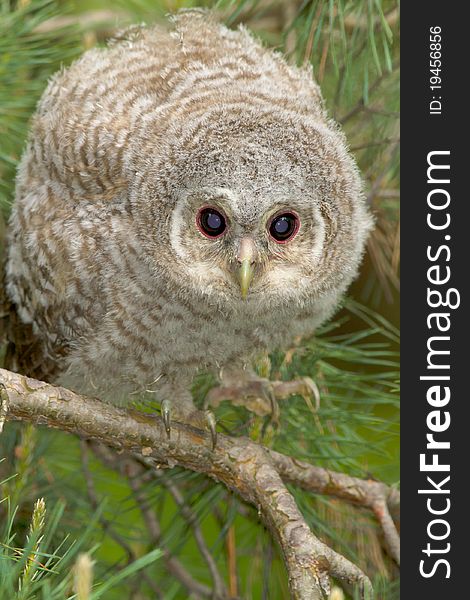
column 25, row 352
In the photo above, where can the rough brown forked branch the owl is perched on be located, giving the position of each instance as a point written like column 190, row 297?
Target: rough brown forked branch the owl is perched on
column 250, row 470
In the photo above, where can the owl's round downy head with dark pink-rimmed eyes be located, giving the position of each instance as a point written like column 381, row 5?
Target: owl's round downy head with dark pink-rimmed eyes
column 256, row 210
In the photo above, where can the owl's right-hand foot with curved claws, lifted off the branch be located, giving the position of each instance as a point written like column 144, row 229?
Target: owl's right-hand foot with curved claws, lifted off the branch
column 260, row 395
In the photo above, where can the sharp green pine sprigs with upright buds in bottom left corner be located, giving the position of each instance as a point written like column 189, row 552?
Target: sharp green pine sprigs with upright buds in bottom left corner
column 38, row 566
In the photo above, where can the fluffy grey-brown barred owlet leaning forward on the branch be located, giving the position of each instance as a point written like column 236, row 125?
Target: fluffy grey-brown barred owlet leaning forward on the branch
column 183, row 204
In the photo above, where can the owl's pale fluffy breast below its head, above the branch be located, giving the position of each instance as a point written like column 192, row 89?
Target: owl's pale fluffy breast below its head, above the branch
column 150, row 330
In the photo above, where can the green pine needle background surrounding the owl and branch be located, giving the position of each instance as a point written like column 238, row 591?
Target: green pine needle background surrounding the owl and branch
column 89, row 508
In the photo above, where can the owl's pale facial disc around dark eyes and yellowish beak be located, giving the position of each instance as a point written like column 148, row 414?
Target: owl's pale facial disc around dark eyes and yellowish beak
column 243, row 247
